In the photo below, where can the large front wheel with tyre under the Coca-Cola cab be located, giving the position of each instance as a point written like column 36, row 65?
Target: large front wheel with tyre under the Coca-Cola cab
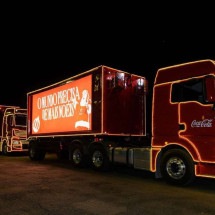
column 177, row 167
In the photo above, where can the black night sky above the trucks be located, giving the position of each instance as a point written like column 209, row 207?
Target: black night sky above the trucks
column 44, row 45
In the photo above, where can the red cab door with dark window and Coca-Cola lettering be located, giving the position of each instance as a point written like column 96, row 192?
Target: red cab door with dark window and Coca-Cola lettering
column 196, row 116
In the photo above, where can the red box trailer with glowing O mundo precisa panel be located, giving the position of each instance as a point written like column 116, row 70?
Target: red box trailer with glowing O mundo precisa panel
column 103, row 106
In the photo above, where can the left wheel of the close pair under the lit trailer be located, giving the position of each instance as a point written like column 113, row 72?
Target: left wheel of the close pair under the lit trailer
column 76, row 156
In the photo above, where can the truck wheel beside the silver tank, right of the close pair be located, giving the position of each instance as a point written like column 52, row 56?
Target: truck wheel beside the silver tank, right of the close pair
column 99, row 159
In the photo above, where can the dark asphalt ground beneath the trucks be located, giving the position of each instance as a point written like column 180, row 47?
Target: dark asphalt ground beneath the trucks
column 53, row 187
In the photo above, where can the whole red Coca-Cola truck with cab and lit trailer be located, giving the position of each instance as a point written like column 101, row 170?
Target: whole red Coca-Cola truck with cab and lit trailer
column 102, row 117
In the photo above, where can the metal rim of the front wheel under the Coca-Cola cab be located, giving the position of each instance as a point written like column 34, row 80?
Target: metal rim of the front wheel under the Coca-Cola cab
column 176, row 168
